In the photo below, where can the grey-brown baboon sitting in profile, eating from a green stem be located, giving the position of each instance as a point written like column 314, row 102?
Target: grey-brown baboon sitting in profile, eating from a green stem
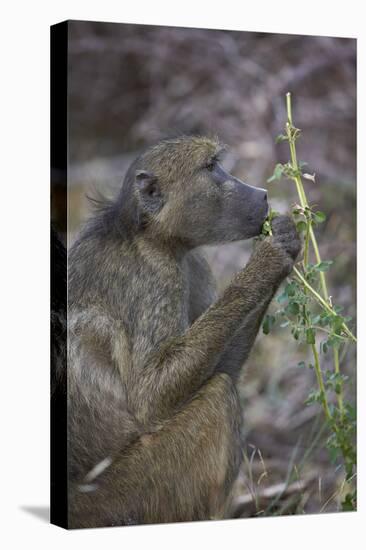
column 154, row 418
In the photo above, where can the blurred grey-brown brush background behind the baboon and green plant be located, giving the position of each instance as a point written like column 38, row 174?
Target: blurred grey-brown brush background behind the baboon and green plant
column 130, row 85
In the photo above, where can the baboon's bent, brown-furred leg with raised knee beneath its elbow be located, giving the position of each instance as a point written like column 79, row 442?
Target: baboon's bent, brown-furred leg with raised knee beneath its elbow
column 181, row 472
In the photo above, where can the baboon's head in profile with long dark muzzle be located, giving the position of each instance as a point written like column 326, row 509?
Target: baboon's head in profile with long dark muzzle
column 182, row 192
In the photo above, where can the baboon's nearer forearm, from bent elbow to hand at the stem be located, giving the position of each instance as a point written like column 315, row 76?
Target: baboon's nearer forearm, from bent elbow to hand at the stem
column 171, row 375
